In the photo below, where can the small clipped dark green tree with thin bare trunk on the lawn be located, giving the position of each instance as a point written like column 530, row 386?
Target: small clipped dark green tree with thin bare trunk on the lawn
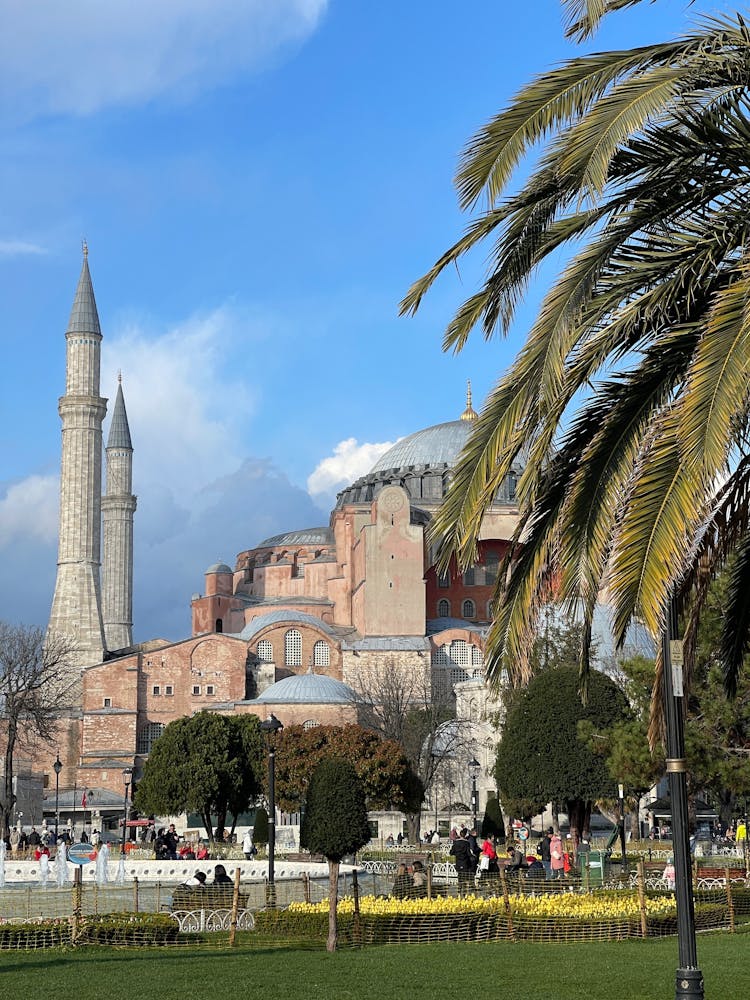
column 334, row 824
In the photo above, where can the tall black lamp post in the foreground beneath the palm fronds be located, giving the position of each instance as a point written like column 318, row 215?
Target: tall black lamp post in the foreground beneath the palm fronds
column 689, row 978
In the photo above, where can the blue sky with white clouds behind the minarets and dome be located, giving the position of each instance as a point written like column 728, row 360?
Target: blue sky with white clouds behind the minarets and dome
column 259, row 181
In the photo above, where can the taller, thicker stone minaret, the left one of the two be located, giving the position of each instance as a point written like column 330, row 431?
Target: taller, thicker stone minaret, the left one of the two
column 76, row 606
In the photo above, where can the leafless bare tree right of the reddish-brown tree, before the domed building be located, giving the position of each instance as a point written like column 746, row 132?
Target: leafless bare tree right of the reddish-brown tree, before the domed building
column 417, row 709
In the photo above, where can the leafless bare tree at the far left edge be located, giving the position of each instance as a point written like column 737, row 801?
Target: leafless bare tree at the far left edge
column 37, row 679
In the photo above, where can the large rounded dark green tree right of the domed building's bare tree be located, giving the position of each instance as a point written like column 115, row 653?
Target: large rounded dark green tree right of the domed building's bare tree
column 541, row 757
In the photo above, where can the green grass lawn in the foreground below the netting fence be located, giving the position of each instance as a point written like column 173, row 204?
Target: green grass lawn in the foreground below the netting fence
column 628, row 970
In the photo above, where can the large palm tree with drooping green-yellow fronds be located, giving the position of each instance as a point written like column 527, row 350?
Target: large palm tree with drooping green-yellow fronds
column 630, row 394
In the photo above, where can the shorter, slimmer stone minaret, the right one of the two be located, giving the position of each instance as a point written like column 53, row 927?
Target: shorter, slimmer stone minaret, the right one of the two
column 118, row 507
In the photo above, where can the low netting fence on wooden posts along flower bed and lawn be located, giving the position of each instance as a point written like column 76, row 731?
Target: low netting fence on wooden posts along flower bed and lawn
column 294, row 910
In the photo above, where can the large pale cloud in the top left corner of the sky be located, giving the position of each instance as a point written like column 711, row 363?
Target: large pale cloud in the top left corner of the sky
column 84, row 55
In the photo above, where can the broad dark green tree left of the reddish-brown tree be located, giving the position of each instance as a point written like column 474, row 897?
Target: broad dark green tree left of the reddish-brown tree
column 209, row 763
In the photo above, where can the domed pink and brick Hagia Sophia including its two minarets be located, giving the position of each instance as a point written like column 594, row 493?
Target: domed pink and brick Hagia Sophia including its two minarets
column 298, row 626
